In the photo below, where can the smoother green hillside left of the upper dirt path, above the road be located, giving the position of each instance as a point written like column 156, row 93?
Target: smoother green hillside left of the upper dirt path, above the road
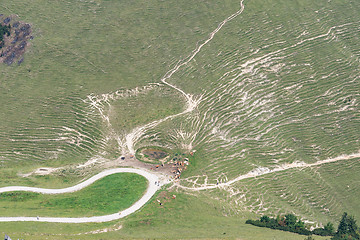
column 83, row 48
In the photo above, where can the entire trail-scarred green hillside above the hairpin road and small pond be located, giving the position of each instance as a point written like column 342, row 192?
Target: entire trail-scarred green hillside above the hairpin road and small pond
column 267, row 93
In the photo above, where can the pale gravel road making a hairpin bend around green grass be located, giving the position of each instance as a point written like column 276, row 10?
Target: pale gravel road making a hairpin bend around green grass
column 151, row 190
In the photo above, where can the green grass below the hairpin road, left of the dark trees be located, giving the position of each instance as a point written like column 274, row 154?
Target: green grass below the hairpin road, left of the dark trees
column 184, row 217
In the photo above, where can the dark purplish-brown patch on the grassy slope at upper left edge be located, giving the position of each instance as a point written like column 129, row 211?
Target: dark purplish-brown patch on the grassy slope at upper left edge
column 14, row 44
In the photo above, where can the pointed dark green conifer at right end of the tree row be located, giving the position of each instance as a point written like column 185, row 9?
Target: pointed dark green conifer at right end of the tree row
column 347, row 228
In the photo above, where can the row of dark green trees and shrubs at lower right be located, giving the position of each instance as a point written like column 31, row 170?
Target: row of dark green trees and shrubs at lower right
column 347, row 229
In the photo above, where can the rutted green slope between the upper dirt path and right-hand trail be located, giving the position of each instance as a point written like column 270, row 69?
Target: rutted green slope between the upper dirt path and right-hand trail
column 288, row 106
